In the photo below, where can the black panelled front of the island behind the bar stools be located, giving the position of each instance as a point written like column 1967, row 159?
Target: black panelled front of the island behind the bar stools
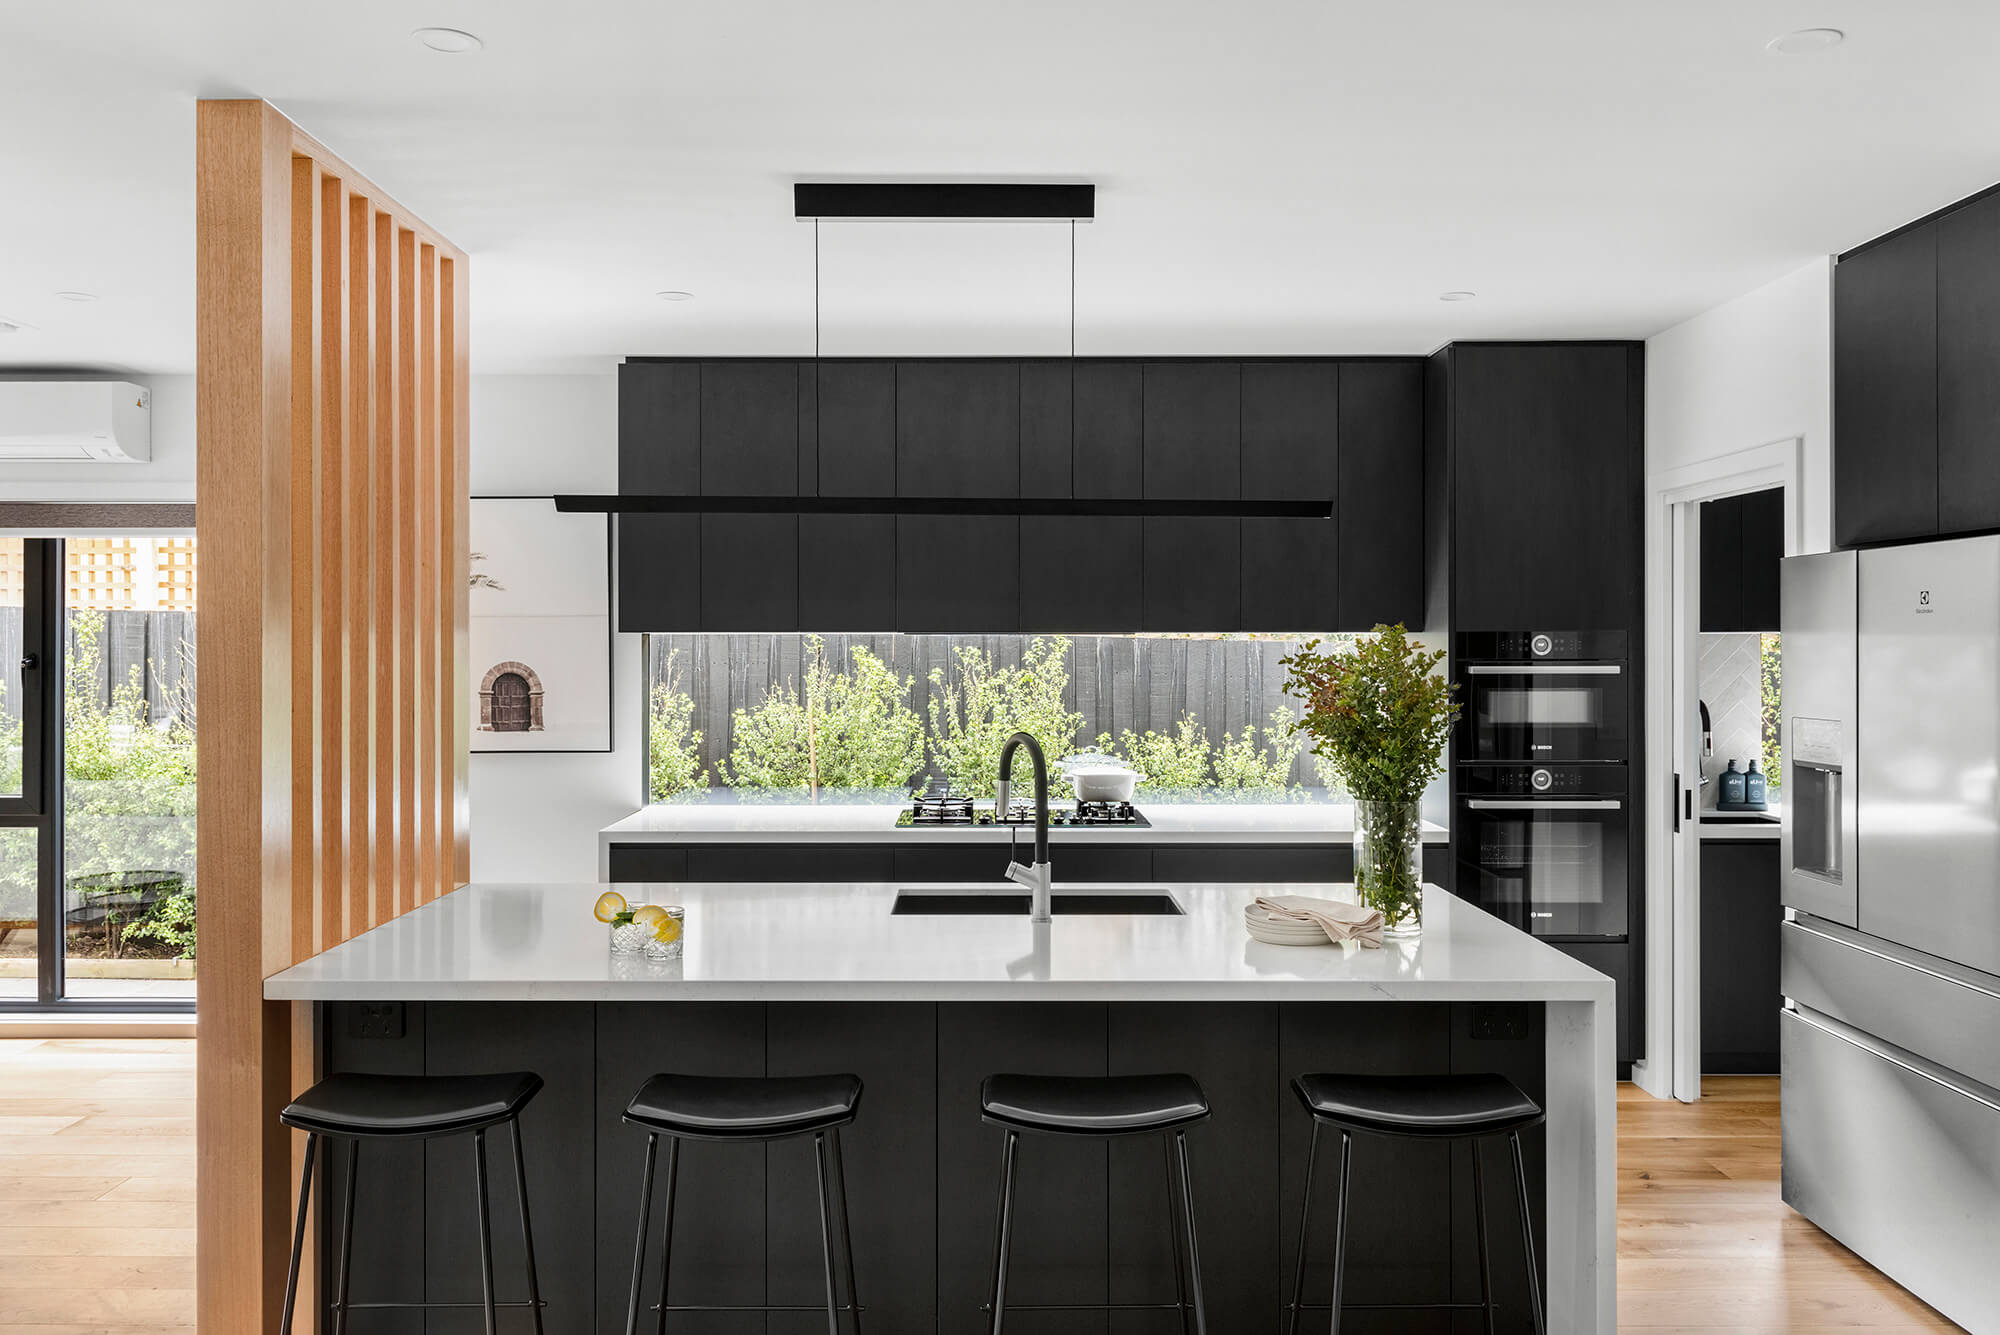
column 923, row 1168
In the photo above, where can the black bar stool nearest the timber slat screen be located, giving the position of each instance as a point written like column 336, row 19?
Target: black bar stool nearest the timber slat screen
column 375, row 1108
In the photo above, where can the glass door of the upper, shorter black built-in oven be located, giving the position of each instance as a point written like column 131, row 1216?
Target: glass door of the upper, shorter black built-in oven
column 1547, row 712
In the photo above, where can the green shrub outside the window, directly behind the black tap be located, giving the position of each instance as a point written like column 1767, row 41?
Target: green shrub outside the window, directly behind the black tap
column 973, row 716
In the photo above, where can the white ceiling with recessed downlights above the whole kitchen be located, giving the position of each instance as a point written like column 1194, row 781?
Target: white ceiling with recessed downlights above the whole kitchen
column 1275, row 177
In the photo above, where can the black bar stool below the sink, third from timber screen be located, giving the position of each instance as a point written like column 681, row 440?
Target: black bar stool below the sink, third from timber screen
column 1103, row 1106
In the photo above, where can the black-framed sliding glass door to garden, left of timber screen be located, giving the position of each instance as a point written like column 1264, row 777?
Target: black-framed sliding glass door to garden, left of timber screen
column 97, row 848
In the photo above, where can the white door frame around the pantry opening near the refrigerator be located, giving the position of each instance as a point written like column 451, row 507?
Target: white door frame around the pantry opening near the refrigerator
column 1673, row 1064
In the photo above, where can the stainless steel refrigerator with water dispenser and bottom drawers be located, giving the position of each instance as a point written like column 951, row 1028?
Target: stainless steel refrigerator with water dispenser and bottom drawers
column 1891, row 1032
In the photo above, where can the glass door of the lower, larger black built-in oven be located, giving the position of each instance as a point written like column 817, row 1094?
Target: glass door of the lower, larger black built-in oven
column 1555, row 868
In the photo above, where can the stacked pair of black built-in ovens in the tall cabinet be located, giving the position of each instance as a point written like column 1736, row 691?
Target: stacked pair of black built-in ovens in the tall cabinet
column 1541, row 780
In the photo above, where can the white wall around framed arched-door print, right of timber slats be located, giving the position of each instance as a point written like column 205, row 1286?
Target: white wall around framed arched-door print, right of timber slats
column 537, row 818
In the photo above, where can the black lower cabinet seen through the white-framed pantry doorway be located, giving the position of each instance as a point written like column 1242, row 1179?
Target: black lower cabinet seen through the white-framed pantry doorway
column 1741, row 952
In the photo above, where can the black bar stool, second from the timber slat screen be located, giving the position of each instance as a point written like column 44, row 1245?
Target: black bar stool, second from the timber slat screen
column 747, row 1108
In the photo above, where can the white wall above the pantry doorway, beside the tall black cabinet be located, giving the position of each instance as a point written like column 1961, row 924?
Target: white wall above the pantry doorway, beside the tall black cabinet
column 1749, row 373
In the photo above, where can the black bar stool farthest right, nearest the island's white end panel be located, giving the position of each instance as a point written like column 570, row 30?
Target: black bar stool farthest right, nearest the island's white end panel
column 1449, row 1108
